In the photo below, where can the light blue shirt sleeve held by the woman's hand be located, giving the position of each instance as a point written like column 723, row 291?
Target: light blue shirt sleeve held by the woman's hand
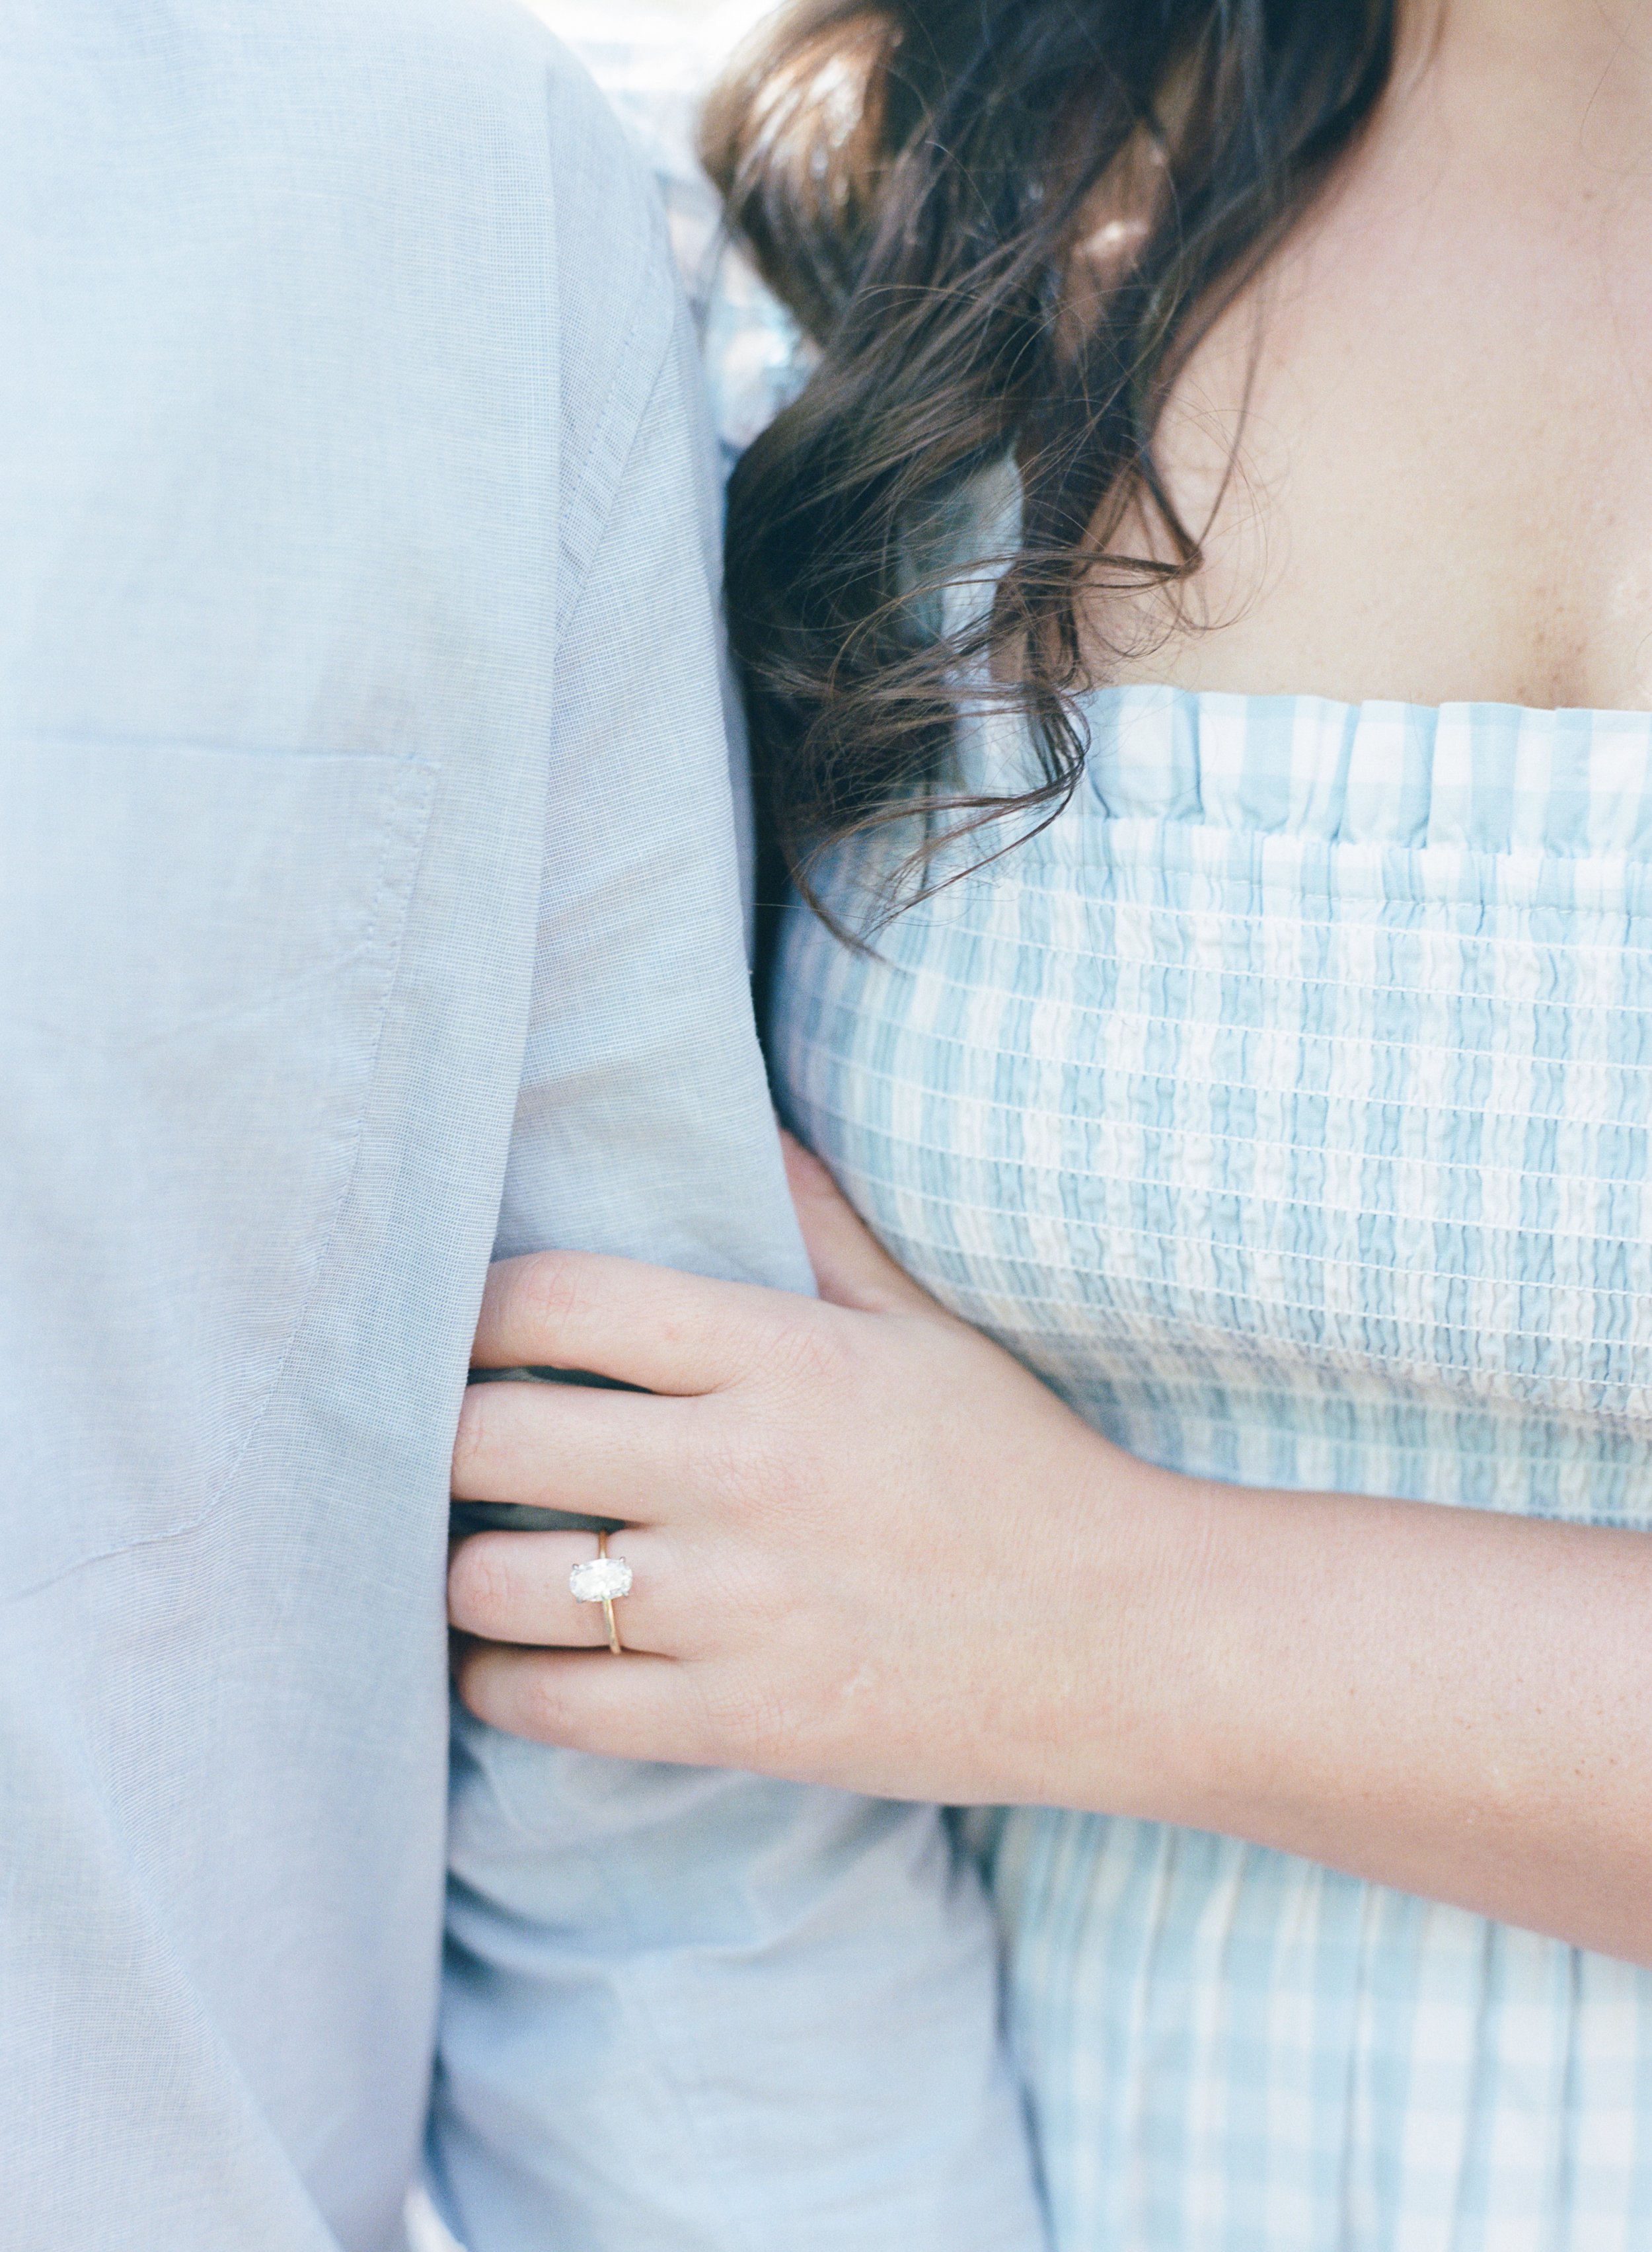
column 683, row 2010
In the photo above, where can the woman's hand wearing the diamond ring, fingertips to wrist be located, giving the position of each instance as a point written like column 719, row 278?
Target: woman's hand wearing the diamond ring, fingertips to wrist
column 868, row 1546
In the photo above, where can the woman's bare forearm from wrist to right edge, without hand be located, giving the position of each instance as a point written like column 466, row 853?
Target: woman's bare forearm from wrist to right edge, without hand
column 1448, row 1701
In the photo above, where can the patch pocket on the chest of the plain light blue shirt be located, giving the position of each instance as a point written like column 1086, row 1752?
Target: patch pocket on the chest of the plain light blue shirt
column 197, row 956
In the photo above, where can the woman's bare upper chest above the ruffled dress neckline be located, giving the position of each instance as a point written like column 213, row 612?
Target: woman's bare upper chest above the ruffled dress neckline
column 1446, row 470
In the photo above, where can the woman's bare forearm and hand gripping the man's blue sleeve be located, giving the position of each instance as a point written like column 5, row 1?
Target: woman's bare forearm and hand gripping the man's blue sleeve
column 872, row 1551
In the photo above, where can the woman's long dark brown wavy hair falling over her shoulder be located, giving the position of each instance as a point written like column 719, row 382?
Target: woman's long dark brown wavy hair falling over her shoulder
column 1003, row 226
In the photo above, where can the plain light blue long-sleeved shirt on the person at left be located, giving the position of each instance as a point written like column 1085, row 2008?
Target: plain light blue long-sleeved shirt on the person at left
column 370, row 904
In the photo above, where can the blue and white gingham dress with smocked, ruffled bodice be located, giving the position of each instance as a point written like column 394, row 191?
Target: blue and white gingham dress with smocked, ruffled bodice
column 1286, row 1107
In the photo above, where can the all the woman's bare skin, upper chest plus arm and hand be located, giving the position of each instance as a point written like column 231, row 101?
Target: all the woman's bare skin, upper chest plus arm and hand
column 1444, row 492
